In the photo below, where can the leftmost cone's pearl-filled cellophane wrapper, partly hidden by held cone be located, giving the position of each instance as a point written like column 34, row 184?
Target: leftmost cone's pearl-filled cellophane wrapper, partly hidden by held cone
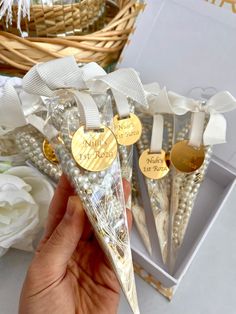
column 30, row 143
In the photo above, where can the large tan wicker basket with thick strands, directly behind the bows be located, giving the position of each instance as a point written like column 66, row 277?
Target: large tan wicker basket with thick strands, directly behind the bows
column 18, row 55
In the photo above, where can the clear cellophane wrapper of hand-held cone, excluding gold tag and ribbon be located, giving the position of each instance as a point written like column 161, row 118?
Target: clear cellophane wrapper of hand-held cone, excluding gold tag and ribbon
column 100, row 192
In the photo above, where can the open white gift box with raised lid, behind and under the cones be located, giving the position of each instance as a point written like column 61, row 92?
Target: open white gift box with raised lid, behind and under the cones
column 190, row 47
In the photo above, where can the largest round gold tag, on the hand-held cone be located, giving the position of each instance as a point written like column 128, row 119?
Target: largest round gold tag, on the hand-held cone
column 94, row 150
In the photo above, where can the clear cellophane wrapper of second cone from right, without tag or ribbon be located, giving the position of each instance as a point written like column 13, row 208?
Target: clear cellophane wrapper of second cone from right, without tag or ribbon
column 158, row 190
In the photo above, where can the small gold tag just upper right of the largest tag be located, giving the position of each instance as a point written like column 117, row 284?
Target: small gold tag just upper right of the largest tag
column 127, row 130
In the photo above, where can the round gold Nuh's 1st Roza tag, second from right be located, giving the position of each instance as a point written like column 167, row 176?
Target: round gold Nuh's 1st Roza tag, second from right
column 153, row 165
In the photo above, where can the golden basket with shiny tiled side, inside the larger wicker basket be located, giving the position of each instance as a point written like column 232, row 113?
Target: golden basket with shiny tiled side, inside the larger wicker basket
column 58, row 19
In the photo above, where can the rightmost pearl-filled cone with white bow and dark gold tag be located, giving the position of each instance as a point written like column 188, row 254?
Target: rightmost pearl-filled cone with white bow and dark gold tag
column 199, row 126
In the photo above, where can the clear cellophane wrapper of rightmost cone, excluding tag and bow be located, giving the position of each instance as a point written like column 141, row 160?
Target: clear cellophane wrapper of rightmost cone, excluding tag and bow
column 184, row 190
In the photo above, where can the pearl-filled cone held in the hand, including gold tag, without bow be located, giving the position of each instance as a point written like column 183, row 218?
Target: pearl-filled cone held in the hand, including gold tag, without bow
column 101, row 191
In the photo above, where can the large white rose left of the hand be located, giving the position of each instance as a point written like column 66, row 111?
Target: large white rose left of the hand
column 25, row 196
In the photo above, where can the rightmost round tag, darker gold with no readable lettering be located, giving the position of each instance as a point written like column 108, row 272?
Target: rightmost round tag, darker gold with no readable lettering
column 187, row 158
